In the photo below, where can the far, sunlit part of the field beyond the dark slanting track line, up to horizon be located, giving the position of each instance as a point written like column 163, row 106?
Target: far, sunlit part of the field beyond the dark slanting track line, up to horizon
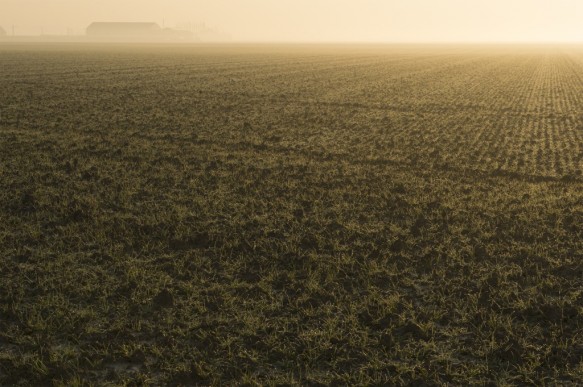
column 491, row 110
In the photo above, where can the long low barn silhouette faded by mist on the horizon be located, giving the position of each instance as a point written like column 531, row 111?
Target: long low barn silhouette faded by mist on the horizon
column 134, row 31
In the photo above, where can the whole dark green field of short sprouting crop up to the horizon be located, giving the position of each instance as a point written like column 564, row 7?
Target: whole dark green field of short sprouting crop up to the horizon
column 314, row 215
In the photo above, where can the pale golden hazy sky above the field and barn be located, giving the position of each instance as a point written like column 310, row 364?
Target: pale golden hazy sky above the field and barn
column 318, row 20
